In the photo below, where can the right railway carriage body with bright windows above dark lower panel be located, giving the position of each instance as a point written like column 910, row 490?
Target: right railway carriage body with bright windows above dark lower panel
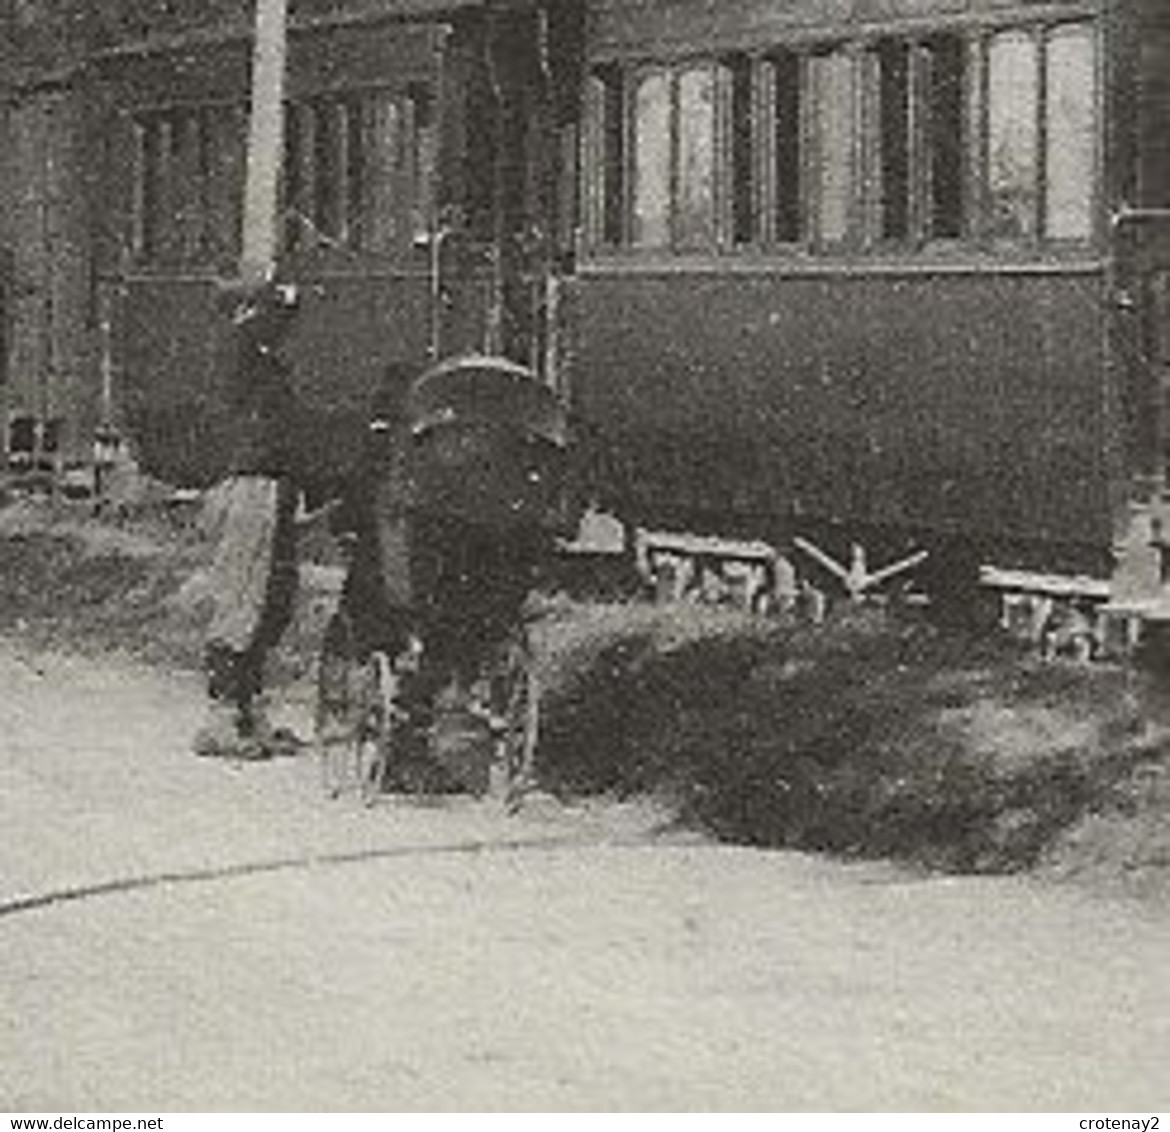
column 849, row 268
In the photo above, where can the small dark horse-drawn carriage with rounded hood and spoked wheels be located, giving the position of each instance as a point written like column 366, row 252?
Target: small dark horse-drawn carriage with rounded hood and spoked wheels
column 426, row 682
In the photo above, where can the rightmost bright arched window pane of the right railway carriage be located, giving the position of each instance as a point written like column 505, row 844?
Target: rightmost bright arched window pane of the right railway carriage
column 1071, row 133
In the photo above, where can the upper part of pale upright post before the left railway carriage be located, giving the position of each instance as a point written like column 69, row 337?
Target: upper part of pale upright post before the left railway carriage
column 266, row 143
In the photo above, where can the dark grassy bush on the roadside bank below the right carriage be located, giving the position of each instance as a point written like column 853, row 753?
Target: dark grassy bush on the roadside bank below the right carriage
column 859, row 737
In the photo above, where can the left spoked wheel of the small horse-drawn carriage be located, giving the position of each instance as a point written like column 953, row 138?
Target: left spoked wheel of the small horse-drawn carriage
column 355, row 714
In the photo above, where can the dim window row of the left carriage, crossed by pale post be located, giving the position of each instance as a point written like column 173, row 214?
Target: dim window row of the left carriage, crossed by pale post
column 357, row 175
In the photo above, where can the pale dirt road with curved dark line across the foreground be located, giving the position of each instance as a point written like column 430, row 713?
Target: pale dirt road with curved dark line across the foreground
column 184, row 936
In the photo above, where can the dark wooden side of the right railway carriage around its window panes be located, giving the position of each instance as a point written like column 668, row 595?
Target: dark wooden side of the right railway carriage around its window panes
column 960, row 388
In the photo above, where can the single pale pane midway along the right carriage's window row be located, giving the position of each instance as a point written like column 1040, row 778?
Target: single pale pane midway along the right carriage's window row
column 834, row 85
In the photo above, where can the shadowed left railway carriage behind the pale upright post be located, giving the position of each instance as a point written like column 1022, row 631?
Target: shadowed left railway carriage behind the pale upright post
column 419, row 203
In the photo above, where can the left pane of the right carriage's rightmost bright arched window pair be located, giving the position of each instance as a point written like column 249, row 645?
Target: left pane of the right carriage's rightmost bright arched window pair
column 1014, row 94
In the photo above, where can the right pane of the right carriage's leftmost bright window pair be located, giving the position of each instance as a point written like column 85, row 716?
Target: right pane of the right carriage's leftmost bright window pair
column 694, row 213
